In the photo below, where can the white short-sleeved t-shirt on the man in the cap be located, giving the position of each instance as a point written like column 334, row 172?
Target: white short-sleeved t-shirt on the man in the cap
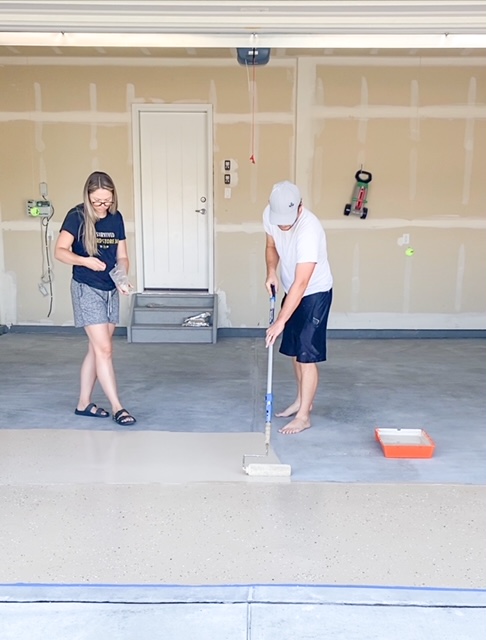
column 304, row 242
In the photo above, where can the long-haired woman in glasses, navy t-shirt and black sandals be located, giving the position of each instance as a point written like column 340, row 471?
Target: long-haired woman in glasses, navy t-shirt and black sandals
column 93, row 240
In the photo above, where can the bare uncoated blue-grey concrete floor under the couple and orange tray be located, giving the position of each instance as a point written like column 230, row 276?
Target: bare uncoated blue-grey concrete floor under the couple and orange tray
column 437, row 385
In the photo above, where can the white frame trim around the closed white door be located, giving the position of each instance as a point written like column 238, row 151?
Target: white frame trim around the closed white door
column 137, row 110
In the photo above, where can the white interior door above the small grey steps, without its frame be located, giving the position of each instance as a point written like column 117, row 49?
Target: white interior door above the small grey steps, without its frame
column 175, row 199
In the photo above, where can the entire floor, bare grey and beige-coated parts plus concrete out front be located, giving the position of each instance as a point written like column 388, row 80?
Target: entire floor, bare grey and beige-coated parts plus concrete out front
column 164, row 517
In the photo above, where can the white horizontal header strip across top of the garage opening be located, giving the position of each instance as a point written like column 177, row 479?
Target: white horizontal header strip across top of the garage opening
column 218, row 26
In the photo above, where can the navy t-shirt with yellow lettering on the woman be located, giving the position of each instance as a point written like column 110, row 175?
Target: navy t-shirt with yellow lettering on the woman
column 109, row 231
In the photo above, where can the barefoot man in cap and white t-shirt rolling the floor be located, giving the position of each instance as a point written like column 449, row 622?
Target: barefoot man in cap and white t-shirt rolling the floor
column 296, row 240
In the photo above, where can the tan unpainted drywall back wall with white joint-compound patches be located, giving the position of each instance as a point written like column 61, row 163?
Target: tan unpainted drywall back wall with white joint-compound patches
column 418, row 124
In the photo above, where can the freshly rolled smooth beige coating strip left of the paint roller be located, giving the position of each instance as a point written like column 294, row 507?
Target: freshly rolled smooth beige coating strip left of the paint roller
column 67, row 456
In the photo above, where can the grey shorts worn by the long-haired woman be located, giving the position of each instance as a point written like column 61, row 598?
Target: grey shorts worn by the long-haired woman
column 94, row 306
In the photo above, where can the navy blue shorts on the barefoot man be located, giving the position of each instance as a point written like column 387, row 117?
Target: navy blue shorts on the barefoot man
column 304, row 336
